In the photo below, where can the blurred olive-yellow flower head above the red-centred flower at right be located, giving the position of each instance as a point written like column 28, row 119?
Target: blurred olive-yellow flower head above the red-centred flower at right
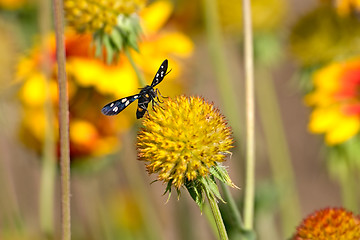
column 321, row 36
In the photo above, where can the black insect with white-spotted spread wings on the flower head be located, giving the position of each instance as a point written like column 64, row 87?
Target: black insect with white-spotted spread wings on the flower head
column 147, row 94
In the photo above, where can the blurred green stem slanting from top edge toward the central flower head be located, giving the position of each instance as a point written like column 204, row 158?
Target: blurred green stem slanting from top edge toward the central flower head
column 220, row 65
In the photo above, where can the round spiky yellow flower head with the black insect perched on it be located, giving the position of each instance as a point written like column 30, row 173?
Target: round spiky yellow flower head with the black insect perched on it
column 183, row 139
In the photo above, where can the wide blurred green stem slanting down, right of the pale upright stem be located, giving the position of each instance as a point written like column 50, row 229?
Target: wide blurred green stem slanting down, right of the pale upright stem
column 279, row 156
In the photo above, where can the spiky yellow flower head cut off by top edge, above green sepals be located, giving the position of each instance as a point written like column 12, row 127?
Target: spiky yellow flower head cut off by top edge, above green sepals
column 91, row 16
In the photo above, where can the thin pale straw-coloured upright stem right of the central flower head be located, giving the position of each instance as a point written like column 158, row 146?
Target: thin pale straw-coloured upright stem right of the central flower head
column 250, row 119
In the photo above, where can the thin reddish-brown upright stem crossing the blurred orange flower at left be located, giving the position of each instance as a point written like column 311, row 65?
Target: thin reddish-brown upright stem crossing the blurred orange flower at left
column 63, row 121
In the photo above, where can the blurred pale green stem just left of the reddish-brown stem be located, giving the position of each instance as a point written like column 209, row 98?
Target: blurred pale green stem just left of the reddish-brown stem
column 49, row 159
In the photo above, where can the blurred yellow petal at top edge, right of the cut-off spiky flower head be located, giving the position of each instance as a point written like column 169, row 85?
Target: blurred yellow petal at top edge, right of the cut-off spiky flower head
column 155, row 16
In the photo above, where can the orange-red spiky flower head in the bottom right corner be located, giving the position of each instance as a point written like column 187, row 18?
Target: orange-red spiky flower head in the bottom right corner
column 329, row 224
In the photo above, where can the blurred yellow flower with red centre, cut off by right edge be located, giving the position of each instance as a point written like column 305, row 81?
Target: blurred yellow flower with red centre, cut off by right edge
column 336, row 103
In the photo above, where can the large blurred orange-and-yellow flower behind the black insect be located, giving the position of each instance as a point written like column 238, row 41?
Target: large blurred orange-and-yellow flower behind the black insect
column 91, row 81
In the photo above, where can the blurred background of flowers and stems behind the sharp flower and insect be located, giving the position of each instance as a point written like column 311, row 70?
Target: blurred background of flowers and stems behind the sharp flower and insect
column 307, row 71
